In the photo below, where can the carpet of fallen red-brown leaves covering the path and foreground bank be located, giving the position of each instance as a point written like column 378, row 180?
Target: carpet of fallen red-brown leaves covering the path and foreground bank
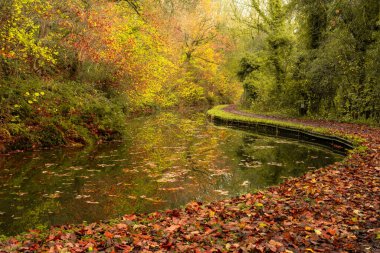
column 332, row 209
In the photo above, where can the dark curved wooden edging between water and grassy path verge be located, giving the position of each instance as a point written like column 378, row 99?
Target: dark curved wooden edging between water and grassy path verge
column 335, row 143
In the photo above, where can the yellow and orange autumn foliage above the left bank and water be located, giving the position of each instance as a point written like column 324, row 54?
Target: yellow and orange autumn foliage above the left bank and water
column 159, row 59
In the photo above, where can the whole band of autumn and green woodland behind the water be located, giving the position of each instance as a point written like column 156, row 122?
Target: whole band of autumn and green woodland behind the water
column 71, row 71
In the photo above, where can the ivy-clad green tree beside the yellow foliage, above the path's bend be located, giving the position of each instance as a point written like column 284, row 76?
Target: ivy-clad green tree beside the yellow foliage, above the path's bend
column 271, row 57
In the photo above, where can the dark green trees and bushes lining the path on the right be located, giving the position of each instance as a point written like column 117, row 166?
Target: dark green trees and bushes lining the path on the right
column 324, row 54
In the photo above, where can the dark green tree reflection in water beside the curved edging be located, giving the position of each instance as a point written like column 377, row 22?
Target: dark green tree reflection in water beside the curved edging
column 279, row 159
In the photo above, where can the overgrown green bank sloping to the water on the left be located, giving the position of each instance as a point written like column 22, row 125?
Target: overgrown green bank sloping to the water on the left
column 37, row 113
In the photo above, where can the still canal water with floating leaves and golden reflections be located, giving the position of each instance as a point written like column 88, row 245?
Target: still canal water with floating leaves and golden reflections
column 166, row 161
